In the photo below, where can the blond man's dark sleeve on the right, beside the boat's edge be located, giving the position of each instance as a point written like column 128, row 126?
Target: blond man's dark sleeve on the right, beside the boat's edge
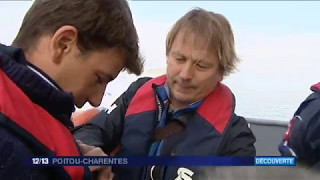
column 239, row 139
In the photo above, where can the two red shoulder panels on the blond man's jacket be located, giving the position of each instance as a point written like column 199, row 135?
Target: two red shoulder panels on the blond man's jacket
column 217, row 107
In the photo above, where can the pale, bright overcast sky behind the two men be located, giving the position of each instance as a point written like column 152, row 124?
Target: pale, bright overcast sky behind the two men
column 278, row 42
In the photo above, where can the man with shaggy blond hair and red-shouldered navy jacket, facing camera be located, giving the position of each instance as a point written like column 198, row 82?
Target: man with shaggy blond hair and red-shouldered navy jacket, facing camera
column 186, row 112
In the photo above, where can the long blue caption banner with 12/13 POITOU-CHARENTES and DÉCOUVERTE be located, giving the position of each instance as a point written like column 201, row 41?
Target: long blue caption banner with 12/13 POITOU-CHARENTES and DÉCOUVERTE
column 163, row 161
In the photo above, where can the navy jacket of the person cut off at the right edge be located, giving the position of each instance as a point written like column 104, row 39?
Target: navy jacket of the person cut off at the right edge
column 302, row 138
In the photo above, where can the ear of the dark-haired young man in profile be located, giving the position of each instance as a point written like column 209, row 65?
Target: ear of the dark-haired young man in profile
column 63, row 41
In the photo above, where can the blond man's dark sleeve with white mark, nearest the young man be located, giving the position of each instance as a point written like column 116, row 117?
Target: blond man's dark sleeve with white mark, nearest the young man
column 105, row 129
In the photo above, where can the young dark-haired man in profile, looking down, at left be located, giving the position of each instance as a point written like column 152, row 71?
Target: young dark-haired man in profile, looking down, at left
column 65, row 54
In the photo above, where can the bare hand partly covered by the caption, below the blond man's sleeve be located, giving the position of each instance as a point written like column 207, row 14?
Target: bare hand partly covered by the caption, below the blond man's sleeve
column 104, row 172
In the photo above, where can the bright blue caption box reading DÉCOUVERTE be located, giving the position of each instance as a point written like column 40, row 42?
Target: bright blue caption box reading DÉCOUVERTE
column 275, row 161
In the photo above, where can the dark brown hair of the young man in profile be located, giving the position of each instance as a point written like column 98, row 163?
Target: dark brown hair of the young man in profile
column 100, row 24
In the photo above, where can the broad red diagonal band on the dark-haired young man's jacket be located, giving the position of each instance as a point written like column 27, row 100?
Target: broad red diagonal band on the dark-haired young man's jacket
column 39, row 123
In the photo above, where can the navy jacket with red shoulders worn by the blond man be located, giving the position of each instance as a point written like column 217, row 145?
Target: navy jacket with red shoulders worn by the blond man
column 210, row 128
